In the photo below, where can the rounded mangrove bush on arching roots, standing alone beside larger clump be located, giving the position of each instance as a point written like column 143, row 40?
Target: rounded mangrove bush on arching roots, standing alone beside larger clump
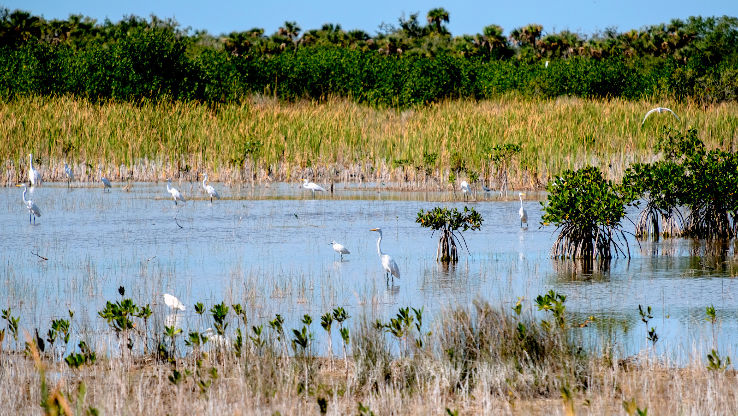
column 588, row 210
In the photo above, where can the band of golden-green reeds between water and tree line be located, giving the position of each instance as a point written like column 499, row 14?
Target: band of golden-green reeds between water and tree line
column 263, row 139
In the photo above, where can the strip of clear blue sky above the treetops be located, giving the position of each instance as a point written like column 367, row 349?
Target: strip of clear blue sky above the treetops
column 467, row 16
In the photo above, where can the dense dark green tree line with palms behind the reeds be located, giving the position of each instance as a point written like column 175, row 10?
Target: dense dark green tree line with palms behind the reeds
column 405, row 65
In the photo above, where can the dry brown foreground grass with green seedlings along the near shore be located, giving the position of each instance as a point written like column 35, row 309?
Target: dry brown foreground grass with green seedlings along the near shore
column 471, row 359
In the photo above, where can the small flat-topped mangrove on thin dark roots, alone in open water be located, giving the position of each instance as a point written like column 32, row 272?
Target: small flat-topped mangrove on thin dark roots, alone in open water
column 450, row 222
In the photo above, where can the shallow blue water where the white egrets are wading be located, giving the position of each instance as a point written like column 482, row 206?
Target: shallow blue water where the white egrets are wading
column 268, row 248
